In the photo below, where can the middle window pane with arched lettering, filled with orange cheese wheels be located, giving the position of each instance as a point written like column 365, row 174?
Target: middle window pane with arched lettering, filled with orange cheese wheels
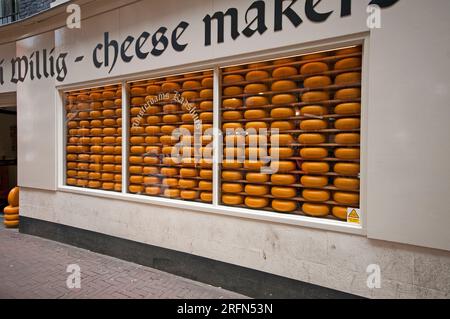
column 171, row 122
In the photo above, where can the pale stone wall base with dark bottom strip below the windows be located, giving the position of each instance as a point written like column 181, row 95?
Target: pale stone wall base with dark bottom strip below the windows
column 255, row 258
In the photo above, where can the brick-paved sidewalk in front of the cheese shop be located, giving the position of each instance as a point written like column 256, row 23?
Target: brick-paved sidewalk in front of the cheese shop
column 32, row 267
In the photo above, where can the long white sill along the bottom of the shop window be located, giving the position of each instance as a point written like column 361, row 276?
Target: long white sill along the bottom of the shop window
column 293, row 220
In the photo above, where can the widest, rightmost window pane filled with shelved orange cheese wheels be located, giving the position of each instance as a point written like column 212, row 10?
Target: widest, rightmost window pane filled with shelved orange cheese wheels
column 292, row 134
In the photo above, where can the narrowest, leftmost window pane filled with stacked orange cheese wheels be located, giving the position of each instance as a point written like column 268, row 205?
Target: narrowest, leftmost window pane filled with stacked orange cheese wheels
column 94, row 138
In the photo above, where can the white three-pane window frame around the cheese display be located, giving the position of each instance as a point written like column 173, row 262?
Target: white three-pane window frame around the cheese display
column 216, row 207
